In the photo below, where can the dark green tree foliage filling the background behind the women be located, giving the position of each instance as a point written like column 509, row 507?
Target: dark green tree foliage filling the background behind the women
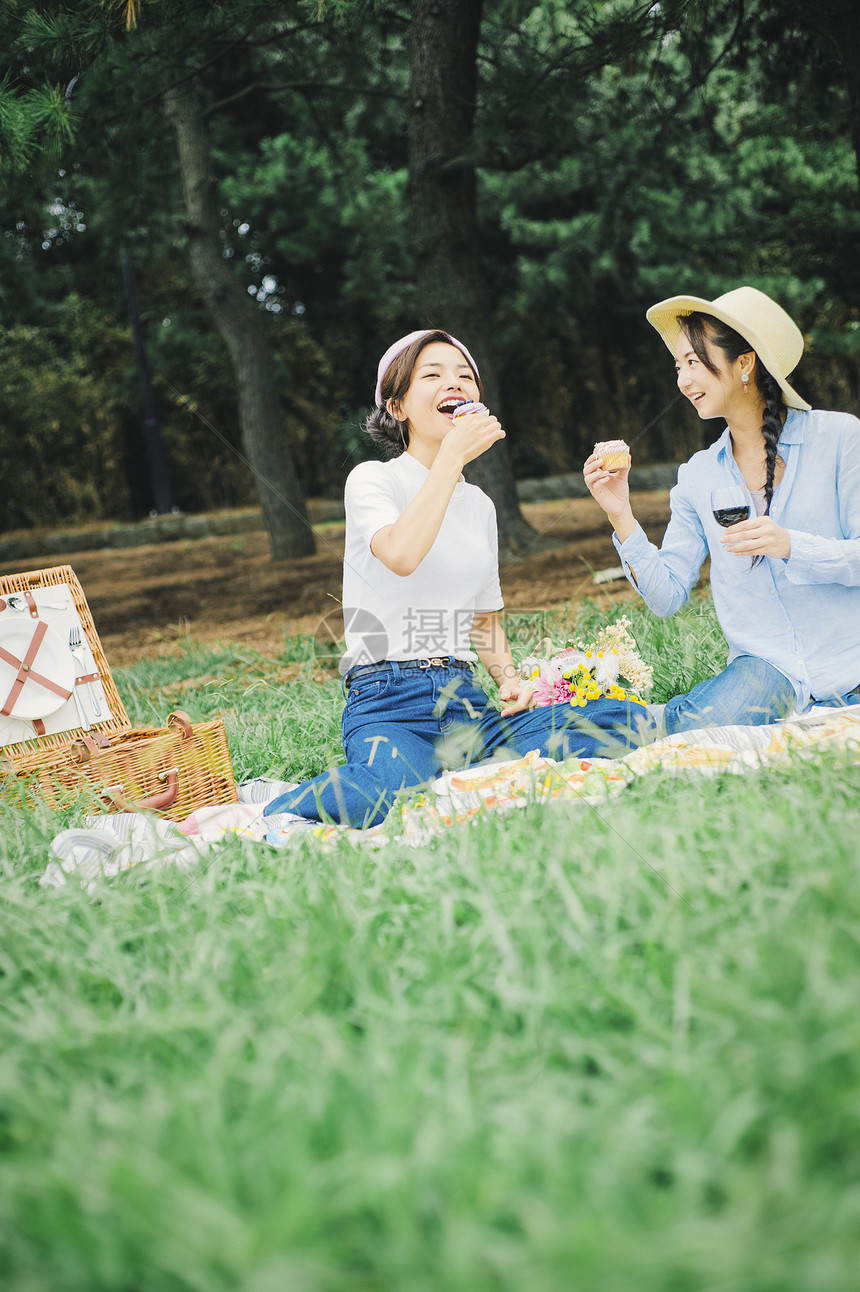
column 624, row 153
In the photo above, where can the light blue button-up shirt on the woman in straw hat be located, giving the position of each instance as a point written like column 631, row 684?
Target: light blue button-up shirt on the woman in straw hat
column 801, row 614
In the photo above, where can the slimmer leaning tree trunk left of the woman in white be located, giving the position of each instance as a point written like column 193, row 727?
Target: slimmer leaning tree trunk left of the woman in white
column 261, row 418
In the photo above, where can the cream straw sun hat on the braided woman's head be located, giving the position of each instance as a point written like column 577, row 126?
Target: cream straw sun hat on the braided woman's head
column 775, row 338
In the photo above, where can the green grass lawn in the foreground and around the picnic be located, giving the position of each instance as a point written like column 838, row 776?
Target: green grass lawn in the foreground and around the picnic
column 560, row 1050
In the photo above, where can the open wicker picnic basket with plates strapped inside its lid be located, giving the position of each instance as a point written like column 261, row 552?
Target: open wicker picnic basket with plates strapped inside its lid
column 109, row 767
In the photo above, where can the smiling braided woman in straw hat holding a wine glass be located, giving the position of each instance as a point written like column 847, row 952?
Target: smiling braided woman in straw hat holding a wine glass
column 786, row 581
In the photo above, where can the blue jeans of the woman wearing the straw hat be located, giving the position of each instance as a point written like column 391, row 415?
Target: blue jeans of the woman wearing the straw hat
column 750, row 692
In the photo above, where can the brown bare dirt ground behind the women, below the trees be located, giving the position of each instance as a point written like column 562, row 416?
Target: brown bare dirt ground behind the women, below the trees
column 148, row 601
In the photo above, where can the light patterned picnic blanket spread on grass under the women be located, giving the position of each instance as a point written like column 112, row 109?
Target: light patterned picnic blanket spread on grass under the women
column 104, row 847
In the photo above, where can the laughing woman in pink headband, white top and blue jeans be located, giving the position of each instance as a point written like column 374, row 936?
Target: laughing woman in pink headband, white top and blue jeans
column 422, row 601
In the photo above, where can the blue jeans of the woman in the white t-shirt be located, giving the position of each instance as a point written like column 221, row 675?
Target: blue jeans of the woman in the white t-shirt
column 404, row 728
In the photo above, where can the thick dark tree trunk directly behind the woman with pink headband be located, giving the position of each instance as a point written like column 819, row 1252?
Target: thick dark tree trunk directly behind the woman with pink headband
column 444, row 47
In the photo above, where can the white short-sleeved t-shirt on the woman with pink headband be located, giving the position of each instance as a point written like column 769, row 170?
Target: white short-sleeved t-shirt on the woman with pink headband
column 431, row 612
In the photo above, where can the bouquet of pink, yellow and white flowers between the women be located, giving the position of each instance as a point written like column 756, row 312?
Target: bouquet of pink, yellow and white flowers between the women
column 578, row 672
